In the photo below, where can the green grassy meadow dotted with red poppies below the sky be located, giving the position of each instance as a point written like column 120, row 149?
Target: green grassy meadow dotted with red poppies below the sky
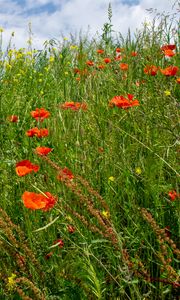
column 89, row 166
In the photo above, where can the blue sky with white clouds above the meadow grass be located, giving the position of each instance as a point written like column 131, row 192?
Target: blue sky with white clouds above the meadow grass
column 57, row 18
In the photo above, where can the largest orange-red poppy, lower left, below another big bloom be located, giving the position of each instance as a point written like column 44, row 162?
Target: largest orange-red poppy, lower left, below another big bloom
column 38, row 201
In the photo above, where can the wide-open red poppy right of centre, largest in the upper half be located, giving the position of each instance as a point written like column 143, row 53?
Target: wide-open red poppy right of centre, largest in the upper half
column 122, row 102
